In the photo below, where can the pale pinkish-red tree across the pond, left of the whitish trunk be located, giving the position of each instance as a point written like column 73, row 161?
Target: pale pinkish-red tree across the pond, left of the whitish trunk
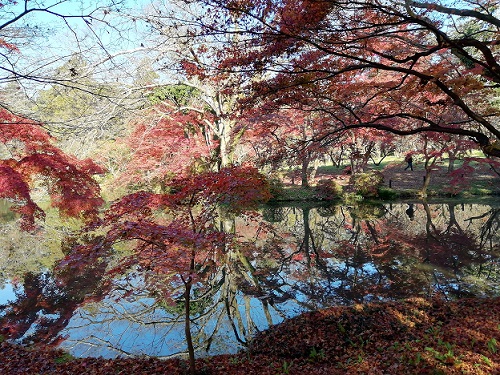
column 168, row 139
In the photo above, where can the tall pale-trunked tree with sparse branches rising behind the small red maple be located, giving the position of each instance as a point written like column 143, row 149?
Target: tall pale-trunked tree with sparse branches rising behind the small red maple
column 184, row 57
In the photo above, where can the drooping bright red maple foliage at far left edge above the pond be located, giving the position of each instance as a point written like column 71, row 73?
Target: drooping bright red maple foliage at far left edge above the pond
column 29, row 160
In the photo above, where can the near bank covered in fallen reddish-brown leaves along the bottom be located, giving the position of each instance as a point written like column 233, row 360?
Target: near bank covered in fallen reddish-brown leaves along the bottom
column 415, row 336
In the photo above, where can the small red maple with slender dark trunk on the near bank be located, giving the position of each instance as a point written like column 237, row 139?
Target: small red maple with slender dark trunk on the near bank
column 176, row 234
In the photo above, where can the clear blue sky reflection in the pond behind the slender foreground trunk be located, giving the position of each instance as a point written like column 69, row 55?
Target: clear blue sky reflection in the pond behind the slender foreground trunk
column 112, row 328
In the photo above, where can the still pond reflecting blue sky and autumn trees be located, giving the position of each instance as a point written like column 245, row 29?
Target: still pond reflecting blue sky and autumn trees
column 308, row 257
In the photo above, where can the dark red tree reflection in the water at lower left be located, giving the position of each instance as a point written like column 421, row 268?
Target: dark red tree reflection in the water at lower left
column 46, row 301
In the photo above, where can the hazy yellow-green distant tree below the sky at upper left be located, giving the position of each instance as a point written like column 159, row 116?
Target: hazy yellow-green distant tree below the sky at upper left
column 83, row 109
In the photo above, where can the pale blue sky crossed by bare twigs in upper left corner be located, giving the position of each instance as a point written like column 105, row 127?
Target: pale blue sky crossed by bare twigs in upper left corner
column 58, row 38
